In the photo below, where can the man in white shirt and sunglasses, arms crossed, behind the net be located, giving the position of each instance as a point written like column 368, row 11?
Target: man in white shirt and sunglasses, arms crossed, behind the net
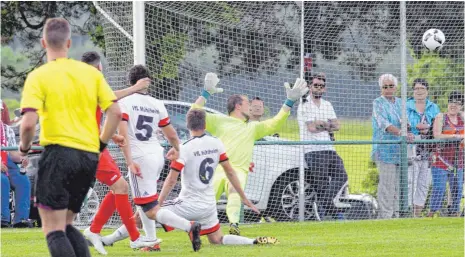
column 318, row 121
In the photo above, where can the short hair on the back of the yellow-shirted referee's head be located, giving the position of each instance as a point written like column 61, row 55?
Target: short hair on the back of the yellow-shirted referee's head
column 56, row 32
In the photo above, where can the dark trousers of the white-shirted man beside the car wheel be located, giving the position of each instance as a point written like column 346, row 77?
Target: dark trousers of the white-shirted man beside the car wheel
column 328, row 177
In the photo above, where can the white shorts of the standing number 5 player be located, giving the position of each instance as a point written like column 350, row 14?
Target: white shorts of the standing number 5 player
column 144, row 190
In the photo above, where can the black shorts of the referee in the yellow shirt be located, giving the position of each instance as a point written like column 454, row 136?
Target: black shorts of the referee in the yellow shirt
column 64, row 177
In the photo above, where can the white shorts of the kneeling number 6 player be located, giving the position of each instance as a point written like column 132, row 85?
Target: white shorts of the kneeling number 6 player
column 207, row 216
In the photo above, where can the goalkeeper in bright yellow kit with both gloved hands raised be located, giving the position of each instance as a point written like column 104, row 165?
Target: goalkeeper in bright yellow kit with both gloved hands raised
column 239, row 135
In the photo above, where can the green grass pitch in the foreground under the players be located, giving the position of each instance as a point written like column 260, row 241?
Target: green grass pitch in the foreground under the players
column 403, row 237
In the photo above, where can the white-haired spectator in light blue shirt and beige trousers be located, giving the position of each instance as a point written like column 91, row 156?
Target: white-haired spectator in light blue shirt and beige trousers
column 386, row 124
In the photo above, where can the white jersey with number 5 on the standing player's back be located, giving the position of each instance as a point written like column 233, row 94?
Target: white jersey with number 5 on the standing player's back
column 145, row 115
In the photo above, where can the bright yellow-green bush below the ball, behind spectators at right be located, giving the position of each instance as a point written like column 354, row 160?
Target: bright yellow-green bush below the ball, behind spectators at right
column 443, row 75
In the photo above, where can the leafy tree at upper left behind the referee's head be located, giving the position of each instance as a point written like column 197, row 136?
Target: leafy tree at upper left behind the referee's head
column 23, row 22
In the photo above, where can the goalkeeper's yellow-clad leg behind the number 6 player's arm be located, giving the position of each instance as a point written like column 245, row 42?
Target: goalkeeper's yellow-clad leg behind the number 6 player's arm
column 233, row 207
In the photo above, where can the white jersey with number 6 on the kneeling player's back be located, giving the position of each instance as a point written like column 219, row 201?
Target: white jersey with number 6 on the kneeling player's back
column 199, row 157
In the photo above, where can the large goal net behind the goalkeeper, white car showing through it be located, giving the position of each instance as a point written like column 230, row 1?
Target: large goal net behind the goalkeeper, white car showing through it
column 255, row 47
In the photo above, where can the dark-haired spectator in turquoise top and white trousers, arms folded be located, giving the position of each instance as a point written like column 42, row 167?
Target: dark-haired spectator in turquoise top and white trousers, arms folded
column 421, row 113
